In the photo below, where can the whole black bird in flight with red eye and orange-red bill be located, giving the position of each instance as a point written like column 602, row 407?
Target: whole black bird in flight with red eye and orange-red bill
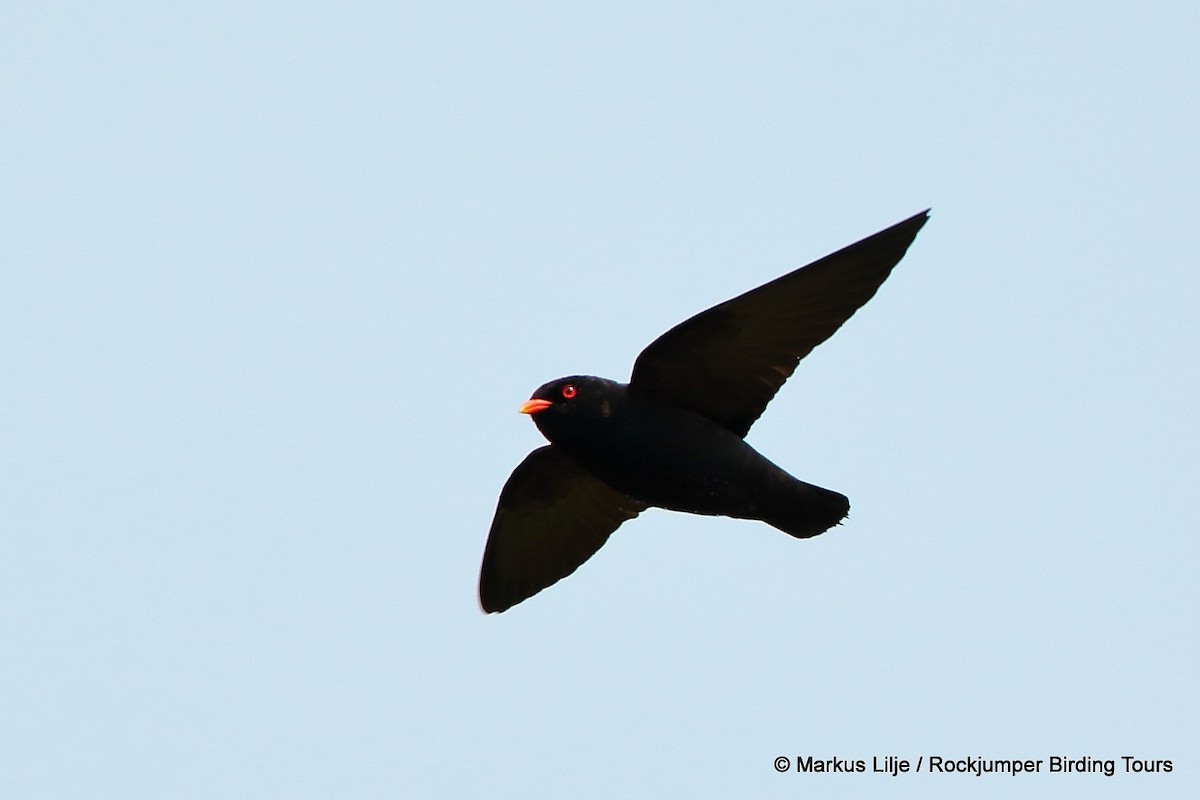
column 673, row 437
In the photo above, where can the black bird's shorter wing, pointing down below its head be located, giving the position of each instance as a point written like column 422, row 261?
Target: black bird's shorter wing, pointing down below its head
column 553, row 518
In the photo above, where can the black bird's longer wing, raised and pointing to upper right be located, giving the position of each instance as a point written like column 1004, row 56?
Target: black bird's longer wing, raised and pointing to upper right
column 729, row 362
